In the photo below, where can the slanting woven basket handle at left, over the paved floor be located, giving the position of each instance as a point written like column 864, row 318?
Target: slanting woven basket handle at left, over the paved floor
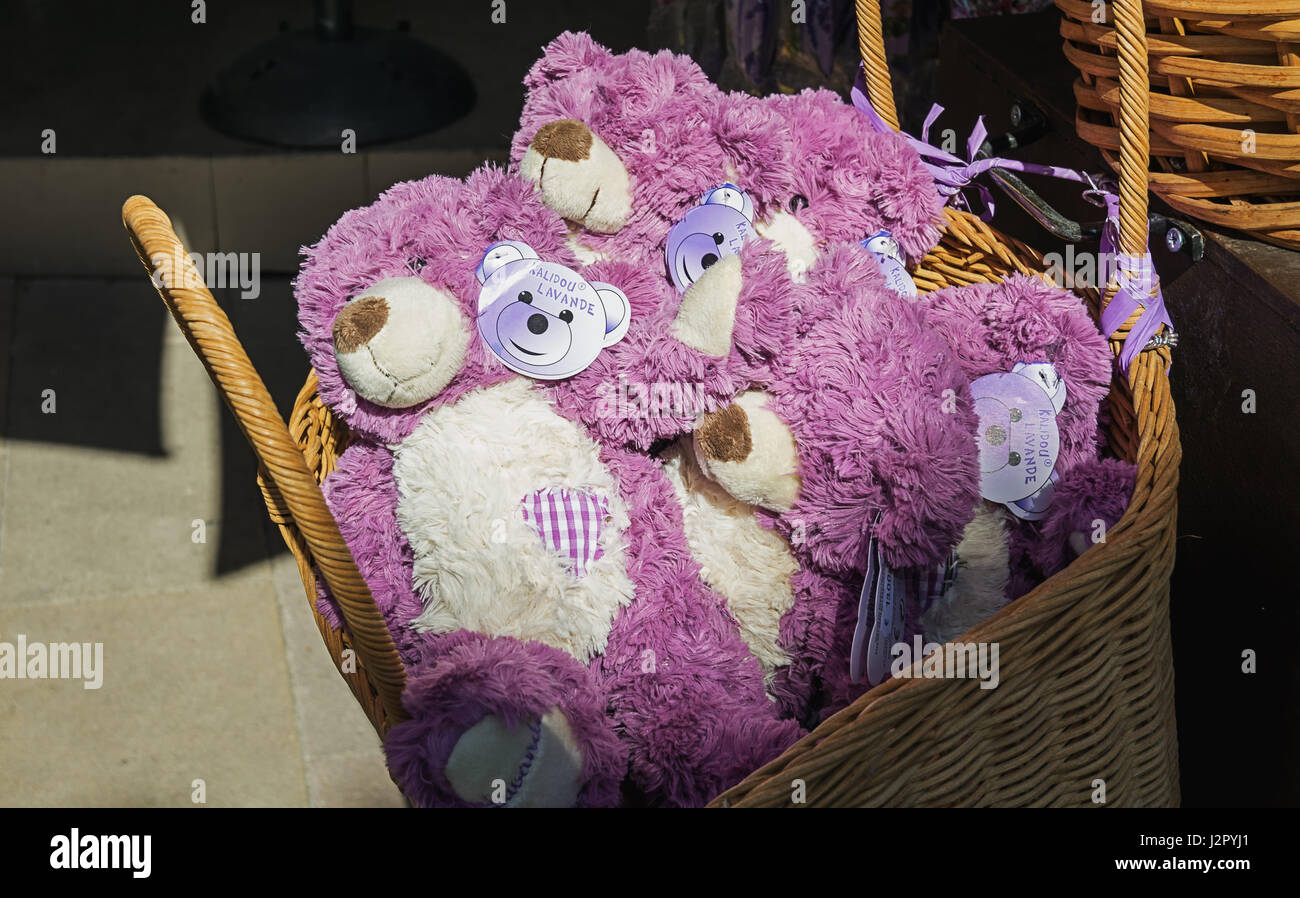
column 215, row 342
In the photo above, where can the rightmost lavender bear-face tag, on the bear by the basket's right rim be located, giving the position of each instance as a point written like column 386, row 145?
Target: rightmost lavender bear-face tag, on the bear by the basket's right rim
column 1019, row 437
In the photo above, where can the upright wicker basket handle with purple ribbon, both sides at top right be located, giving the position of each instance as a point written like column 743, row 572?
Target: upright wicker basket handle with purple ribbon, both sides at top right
column 1134, row 110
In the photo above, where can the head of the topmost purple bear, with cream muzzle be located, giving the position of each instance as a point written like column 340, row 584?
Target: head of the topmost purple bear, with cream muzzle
column 623, row 145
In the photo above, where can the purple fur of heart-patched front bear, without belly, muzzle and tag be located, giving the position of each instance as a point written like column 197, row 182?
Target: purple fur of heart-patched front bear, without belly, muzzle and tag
column 677, row 687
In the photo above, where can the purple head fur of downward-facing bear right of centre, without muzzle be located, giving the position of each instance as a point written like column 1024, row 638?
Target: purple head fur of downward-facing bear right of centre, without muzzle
column 882, row 420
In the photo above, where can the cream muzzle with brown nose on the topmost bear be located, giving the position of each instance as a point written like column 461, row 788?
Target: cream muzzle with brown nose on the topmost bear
column 579, row 176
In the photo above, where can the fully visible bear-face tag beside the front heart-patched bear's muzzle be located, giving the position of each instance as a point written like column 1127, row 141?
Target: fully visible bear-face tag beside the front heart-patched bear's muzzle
column 544, row 320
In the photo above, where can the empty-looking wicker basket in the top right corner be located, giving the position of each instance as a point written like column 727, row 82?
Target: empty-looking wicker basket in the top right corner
column 1225, row 107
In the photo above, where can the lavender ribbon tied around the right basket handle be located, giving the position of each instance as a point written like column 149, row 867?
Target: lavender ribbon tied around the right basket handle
column 1139, row 285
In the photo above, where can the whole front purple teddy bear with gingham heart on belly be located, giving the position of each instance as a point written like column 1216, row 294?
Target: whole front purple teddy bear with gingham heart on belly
column 558, row 637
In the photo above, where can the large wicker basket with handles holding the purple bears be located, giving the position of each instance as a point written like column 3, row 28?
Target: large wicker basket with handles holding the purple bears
column 1087, row 684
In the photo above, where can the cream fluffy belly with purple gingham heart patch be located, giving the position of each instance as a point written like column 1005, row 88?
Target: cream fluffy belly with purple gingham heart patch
column 484, row 485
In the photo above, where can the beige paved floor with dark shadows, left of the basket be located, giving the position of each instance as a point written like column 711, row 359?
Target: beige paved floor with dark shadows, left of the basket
column 213, row 665
